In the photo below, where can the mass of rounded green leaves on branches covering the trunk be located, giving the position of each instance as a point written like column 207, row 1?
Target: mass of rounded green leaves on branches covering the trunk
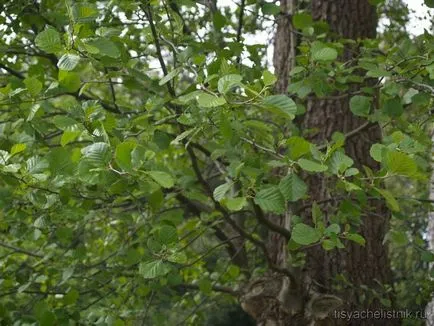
column 117, row 180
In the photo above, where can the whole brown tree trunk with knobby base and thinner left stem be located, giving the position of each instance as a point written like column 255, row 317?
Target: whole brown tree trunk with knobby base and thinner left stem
column 276, row 300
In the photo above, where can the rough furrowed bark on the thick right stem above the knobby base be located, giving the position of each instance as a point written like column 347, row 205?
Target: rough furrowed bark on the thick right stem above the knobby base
column 361, row 266
